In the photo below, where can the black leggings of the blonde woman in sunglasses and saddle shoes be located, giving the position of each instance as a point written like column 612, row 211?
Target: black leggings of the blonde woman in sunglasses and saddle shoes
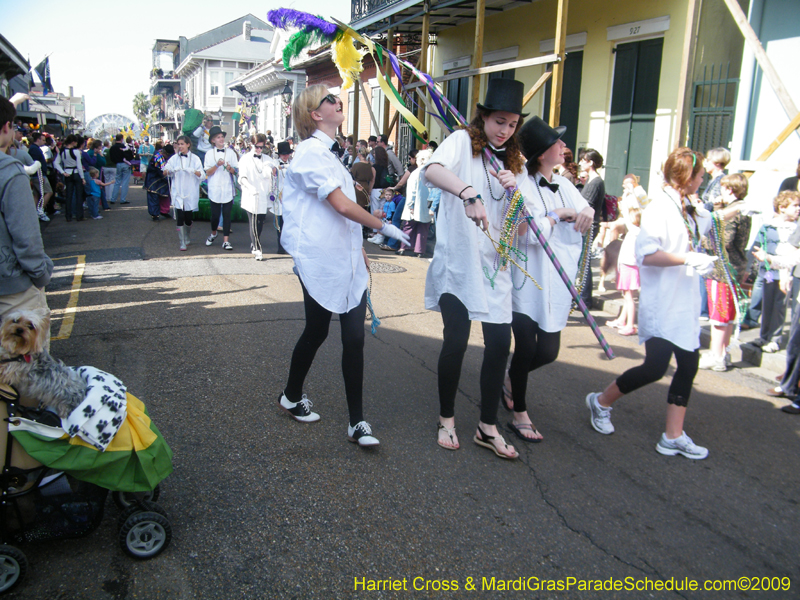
column 318, row 320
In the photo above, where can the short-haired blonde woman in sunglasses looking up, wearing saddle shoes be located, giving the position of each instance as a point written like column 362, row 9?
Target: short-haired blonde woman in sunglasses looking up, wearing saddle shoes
column 322, row 231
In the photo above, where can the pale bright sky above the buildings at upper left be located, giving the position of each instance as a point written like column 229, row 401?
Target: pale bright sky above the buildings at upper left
column 104, row 49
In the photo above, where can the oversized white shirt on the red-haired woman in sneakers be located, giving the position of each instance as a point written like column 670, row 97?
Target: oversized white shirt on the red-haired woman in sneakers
column 669, row 299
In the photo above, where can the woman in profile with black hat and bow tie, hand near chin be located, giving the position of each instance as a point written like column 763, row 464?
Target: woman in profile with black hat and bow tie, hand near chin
column 540, row 315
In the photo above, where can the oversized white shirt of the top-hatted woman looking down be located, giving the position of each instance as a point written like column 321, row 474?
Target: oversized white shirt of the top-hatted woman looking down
column 462, row 250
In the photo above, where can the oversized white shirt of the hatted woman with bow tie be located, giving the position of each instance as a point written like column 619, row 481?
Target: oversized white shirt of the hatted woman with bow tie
column 550, row 306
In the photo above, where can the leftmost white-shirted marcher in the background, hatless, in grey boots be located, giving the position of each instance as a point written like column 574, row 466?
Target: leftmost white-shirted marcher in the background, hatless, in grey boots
column 186, row 171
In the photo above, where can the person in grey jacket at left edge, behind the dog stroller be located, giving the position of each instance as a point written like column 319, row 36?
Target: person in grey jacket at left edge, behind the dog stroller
column 24, row 267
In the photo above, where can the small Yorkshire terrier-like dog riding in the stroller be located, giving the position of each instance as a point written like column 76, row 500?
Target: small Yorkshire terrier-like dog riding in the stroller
column 28, row 366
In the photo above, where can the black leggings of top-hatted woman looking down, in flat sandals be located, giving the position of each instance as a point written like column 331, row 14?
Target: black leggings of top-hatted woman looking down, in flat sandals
column 496, row 341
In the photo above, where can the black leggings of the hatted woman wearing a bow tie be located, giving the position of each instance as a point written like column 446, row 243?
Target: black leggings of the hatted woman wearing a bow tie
column 533, row 348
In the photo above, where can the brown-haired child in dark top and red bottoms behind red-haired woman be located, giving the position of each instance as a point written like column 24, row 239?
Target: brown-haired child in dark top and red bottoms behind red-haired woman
column 722, row 298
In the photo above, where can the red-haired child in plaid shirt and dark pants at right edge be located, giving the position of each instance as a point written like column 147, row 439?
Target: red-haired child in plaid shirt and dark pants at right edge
column 773, row 238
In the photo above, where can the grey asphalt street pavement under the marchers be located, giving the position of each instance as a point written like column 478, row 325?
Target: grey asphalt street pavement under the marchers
column 264, row 507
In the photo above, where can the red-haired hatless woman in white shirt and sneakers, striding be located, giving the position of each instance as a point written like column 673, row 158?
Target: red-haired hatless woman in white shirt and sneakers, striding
column 670, row 258
